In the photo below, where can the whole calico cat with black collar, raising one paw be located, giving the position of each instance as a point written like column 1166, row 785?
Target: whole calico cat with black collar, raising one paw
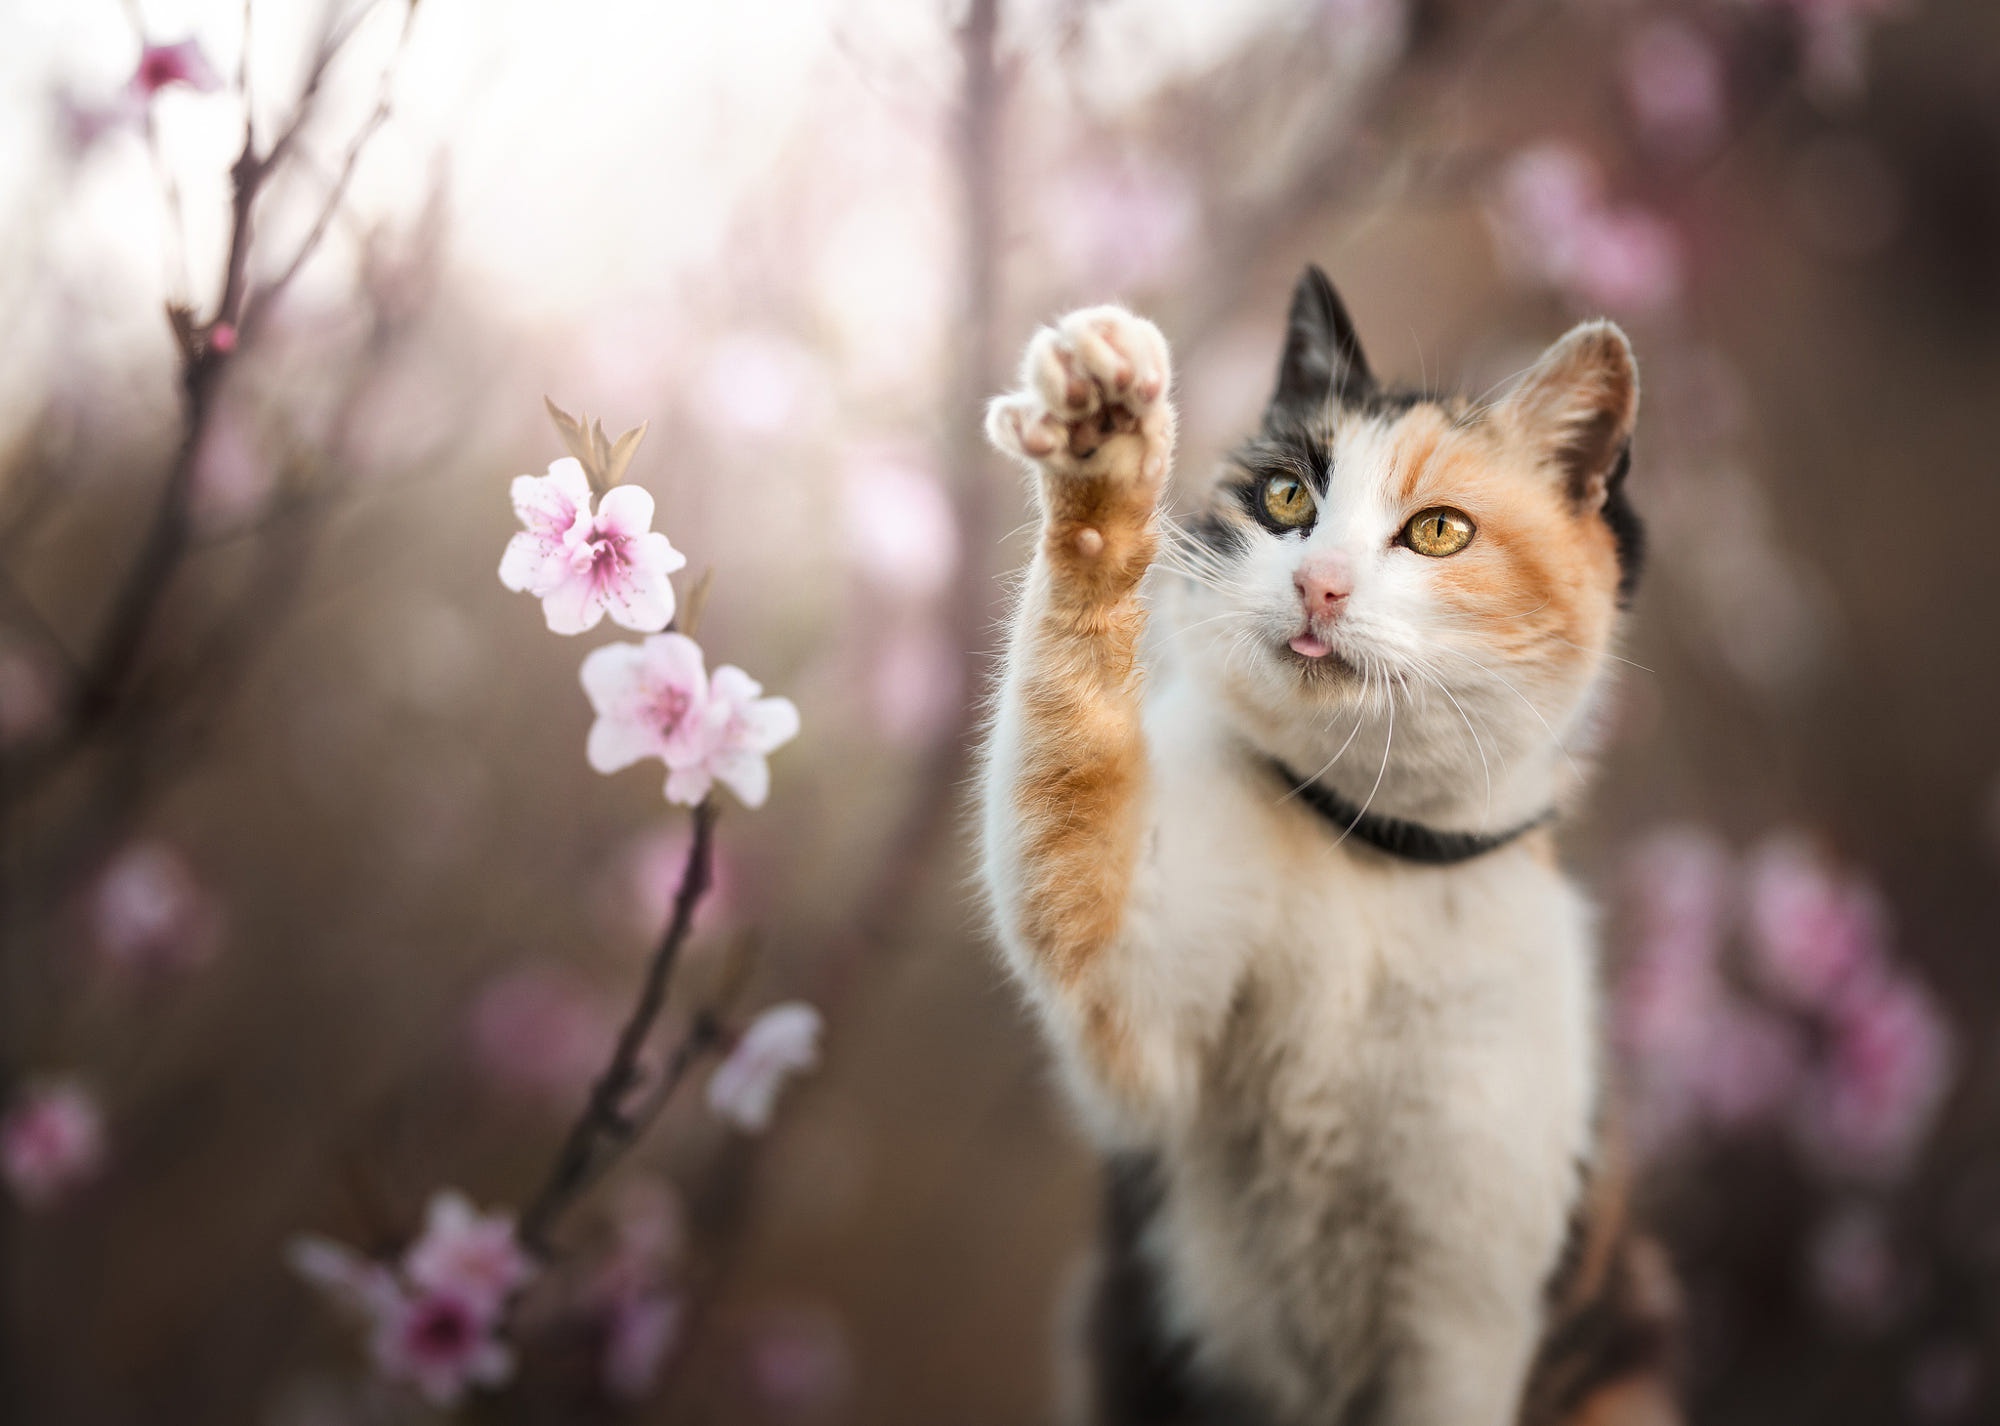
column 1269, row 845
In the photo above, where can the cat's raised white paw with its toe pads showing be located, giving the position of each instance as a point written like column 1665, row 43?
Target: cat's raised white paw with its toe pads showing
column 1087, row 383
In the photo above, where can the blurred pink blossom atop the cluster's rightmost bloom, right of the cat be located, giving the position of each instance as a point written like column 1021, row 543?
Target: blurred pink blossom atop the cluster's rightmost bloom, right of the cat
column 1809, row 929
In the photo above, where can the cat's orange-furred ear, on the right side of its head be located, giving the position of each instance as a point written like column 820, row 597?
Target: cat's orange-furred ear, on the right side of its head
column 1575, row 409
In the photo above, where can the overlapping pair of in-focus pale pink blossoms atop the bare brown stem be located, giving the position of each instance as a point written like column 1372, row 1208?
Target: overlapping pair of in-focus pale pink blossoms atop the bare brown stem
column 653, row 701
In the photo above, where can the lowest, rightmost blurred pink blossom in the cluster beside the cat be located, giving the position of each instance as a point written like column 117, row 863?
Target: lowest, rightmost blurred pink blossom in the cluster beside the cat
column 1885, row 1077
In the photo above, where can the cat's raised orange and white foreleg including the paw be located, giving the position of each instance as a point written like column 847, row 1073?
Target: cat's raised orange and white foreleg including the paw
column 1067, row 783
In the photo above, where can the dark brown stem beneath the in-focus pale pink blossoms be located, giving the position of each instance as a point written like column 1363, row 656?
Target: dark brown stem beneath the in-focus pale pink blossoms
column 603, row 1131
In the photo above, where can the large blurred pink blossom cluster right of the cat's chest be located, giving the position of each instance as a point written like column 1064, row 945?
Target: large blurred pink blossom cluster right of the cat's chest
column 1817, row 1031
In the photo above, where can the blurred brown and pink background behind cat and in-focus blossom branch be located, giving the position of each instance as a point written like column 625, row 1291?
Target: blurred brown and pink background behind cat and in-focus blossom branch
column 311, row 905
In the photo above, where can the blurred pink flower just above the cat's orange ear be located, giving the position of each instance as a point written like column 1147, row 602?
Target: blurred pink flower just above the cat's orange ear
column 1553, row 227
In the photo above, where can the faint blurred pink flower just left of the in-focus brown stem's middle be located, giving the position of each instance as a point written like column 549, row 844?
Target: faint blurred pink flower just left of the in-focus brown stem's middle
column 541, row 1033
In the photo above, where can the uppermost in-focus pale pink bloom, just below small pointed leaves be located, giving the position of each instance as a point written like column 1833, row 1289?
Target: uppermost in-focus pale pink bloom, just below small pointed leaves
column 583, row 567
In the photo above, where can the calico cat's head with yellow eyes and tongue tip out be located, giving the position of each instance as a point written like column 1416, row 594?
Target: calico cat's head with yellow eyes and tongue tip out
column 1413, row 593
